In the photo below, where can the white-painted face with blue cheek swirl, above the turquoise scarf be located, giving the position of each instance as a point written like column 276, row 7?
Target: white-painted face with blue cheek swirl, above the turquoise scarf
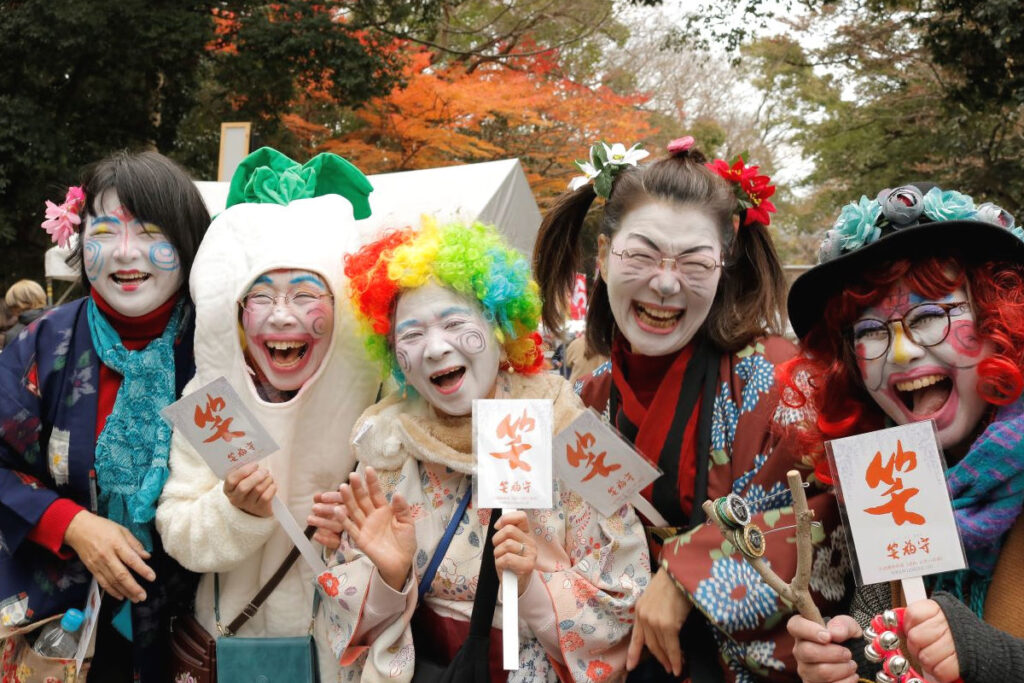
column 132, row 265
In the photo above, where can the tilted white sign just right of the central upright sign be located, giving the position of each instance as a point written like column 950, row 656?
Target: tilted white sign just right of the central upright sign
column 601, row 465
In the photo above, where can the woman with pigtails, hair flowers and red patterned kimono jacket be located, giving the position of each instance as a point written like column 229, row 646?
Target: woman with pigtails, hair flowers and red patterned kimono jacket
column 689, row 305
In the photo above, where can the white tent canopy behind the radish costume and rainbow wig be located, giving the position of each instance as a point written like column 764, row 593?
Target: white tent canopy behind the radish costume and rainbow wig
column 493, row 192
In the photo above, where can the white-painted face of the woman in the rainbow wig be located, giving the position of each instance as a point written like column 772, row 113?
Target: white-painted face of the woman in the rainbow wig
column 446, row 349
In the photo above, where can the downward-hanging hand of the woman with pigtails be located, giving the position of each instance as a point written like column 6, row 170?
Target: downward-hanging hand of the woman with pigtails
column 661, row 613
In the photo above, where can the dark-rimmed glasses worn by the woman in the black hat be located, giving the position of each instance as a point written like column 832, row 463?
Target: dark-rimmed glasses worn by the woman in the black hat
column 926, row 325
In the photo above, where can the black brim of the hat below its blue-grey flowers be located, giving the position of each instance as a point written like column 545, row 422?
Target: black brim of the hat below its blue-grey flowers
column 967, row 241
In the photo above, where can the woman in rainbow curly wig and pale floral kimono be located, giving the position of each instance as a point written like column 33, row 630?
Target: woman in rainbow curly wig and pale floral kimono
column 450, row 312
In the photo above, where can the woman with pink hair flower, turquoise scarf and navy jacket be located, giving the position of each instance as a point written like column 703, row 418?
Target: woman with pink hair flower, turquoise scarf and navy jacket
column 83, row 448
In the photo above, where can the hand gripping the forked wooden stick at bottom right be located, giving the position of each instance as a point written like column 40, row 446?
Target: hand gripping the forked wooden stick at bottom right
column 820, row 657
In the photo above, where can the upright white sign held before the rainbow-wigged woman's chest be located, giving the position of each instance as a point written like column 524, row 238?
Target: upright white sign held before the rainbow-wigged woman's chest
column 513, row 440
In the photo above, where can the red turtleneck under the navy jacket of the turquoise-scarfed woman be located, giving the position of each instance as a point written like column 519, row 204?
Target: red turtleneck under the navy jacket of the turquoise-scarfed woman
column 136, row 333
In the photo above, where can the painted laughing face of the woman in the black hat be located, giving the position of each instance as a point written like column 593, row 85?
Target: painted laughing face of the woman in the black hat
column 912, row 382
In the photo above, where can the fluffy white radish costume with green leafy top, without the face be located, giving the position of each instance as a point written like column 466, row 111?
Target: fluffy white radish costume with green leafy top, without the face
column 280, row 218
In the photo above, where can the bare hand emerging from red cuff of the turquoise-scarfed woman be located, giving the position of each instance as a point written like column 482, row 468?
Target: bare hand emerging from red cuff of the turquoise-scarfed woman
column 109, row 551
